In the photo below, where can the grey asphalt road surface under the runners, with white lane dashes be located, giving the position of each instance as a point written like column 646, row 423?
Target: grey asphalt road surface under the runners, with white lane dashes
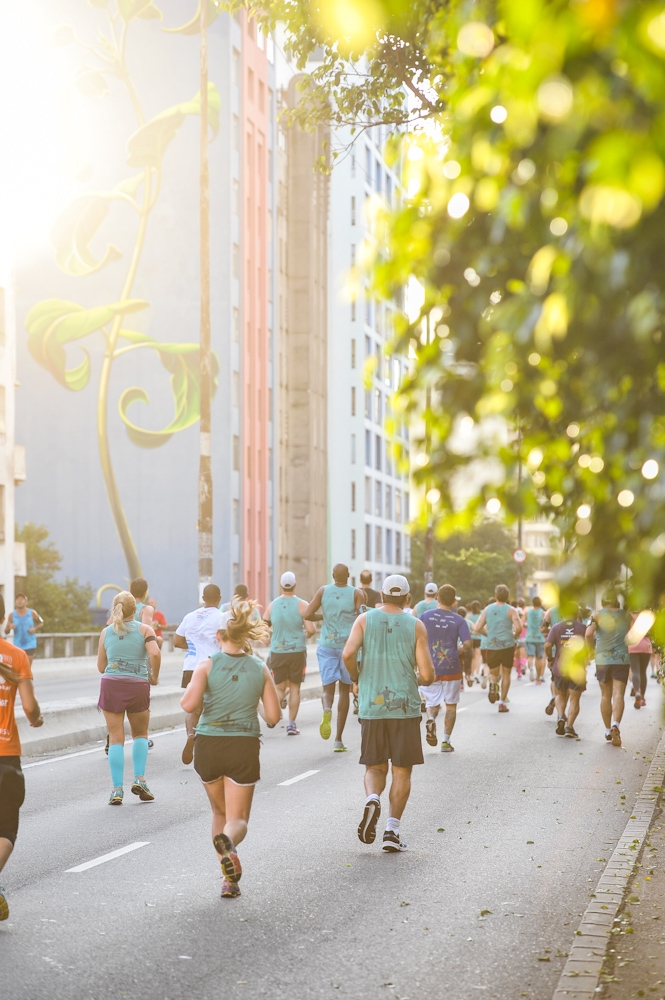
column 527, row 820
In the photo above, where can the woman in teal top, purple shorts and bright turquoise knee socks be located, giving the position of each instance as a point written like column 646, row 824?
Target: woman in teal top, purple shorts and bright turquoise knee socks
column 129, row 658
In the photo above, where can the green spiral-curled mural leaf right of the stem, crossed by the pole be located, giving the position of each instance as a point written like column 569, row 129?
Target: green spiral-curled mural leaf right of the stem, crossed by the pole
column 182, row 360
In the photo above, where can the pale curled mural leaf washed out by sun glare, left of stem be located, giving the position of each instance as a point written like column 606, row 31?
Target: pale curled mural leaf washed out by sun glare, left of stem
column 74, row 229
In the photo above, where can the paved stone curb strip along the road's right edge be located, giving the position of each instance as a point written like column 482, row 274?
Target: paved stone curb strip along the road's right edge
column 581, row 973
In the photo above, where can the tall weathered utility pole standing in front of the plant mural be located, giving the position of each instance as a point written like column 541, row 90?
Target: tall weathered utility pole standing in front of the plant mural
column 205, row 463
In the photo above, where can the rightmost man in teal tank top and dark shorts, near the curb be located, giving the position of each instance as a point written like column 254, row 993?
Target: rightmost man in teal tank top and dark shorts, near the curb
column 610, row 627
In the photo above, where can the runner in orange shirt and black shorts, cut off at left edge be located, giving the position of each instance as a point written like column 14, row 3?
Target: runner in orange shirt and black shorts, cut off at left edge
column 15, row 675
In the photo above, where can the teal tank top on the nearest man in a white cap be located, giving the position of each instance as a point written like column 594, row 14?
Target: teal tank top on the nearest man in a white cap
column 387, row 685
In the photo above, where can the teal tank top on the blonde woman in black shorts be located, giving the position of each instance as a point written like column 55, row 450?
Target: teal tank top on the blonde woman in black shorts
column 232, row 695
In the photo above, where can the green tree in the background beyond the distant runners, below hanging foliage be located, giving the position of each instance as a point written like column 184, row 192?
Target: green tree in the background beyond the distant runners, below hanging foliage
column 474, row 562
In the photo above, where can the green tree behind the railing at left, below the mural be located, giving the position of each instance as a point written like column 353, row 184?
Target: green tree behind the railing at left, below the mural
column 64, row 606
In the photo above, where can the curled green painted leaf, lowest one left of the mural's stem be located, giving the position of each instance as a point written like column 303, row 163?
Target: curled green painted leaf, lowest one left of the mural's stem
column 55, row 322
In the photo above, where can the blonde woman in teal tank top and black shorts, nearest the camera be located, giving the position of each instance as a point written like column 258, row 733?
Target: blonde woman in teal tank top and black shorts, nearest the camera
column 224, row 695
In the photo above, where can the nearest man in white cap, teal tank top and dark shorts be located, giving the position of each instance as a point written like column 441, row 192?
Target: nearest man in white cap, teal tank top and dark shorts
column 395, row 660
